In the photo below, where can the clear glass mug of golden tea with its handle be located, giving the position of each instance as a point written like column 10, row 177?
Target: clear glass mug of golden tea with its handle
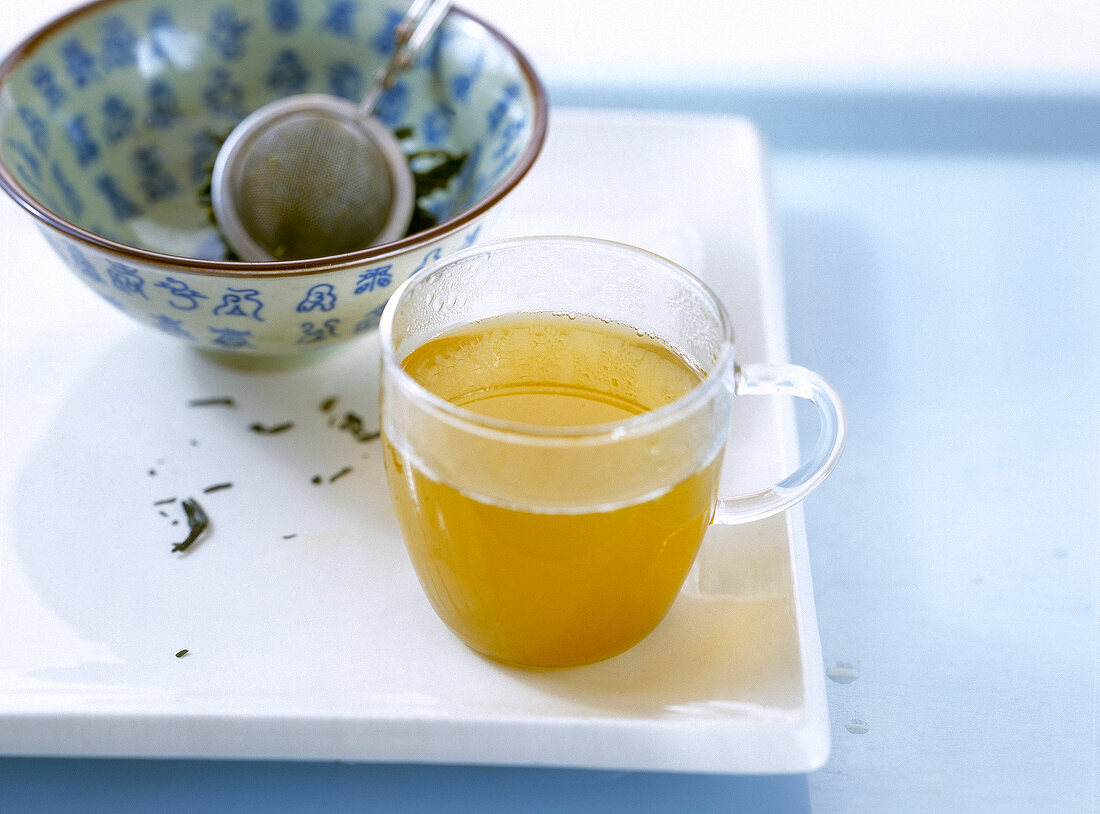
column 553, row 546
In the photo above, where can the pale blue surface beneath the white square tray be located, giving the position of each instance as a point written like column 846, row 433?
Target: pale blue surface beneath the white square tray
column 942, row 259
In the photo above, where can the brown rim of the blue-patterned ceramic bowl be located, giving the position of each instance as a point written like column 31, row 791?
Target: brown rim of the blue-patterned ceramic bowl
column 281, row 269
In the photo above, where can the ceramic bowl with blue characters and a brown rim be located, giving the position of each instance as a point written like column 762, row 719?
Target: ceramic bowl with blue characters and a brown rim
column 112, row 116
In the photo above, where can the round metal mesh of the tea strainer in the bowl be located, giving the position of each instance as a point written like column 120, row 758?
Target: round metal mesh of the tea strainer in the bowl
column 312, row 186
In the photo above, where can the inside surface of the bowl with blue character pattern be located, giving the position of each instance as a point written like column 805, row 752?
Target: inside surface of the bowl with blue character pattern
column 112, row 117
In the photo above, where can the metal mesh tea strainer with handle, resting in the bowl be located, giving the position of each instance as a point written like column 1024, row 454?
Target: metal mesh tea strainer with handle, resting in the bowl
column 316, row 175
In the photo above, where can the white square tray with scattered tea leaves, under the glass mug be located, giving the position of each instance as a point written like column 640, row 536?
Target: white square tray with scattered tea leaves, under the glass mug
column 306, row 631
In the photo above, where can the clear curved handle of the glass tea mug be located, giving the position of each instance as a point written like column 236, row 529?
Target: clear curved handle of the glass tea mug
column 768, row 380
